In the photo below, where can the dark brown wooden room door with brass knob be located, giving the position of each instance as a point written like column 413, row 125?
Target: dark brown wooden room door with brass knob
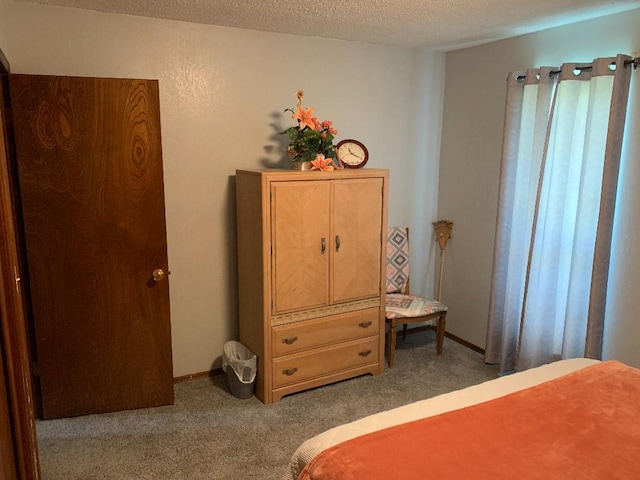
column 90, row 171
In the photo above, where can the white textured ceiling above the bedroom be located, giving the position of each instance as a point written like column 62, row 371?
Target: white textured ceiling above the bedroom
column 435, row 24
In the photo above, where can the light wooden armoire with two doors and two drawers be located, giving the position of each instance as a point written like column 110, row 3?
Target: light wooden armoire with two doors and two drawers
column 311, row 258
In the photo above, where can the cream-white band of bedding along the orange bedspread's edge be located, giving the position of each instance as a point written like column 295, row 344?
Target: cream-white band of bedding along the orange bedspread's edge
column 432, row 406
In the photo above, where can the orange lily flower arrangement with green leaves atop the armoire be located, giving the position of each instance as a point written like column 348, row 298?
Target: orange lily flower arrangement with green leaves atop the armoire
column 311, row 140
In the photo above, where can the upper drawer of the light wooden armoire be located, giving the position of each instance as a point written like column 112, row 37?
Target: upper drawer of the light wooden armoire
column 325, row 331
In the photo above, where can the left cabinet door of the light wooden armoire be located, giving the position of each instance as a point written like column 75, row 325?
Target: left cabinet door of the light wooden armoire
column 300, row 242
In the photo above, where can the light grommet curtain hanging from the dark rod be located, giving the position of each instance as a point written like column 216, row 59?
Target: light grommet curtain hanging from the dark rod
column 559, row 172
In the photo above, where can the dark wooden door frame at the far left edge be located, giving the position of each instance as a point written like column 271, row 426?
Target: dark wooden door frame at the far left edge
column 12, row 318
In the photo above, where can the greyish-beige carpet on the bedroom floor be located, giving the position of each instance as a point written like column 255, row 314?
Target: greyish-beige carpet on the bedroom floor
column 210, row 434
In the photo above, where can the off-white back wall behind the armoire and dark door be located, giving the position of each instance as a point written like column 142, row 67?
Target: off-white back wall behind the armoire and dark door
column 222, row 93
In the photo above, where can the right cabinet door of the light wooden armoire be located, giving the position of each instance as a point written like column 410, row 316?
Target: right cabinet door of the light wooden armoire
column 355, row 266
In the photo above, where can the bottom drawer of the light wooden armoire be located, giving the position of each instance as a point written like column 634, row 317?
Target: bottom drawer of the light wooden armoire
column 305, row 366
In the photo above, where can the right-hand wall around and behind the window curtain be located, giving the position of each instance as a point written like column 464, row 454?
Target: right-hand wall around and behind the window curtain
column 470, row 163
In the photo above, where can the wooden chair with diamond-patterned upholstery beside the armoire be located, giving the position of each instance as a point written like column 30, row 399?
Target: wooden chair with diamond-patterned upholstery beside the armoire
column 402, row 307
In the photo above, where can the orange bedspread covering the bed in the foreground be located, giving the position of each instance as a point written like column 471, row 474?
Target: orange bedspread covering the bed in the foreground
column 585, row 425
